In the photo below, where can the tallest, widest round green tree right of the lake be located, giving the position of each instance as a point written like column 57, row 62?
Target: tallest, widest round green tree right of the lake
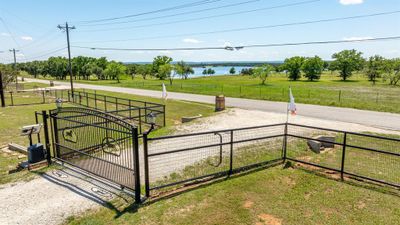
column 346, row 62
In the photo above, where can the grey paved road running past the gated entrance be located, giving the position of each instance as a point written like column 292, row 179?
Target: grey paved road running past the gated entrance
column 370, row 118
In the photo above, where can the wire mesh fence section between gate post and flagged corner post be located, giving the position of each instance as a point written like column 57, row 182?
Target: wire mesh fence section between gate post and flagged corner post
column 174, row 160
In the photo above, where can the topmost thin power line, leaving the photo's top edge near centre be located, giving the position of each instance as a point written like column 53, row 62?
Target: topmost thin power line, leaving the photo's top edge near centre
column 153, row 11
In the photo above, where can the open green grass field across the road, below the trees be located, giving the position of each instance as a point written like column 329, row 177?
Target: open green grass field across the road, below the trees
column 330, row 90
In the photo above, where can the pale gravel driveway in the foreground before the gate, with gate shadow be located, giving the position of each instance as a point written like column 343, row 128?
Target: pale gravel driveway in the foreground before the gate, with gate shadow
column 51, row 198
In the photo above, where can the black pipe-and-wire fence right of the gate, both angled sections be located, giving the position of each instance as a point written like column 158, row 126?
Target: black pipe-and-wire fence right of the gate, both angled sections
column 173, row 161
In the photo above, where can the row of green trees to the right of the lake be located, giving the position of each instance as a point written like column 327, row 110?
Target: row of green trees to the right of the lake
column 345, row 62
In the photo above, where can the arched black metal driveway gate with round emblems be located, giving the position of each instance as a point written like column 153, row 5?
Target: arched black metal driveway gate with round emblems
column 98, row 143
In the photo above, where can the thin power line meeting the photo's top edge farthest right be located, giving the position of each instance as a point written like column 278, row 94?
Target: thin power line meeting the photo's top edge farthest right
column 208, row 17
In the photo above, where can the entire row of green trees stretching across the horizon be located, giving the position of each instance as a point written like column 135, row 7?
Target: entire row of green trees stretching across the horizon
column 345, row 62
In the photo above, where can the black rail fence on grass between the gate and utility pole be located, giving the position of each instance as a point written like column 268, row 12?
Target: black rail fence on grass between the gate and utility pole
column 132, row 111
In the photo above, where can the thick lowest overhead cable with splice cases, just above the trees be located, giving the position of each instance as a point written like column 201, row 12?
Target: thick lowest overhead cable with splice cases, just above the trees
column 243, row 46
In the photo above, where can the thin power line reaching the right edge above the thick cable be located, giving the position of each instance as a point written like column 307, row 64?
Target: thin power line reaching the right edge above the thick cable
column 252, row 28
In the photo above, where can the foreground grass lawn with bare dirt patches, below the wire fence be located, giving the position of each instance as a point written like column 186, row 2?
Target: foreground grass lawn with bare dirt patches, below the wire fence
column 271, row 196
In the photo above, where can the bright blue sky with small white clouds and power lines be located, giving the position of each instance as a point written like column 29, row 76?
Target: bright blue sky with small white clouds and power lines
column 31, row 27
